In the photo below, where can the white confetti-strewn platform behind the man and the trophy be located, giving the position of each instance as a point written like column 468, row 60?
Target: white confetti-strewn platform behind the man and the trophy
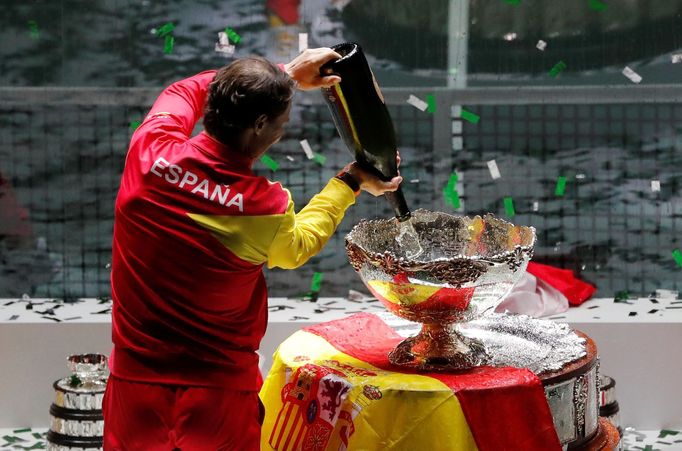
column 638, row 343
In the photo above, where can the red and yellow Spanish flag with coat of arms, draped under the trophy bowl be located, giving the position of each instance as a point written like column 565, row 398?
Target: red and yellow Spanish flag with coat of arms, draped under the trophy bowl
column 332, row 387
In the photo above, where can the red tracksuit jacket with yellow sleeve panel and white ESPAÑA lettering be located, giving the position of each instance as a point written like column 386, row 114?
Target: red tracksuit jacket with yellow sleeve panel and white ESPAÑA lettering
column 193, row 228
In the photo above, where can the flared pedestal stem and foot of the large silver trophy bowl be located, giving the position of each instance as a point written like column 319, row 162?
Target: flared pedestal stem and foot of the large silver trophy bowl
column 439, row 347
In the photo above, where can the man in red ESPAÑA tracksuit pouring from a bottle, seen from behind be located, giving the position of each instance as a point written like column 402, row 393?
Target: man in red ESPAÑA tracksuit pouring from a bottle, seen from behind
column 193, row 228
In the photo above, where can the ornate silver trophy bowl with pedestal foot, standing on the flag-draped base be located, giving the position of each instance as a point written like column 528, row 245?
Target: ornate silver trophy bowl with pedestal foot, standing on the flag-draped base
column 467, row 266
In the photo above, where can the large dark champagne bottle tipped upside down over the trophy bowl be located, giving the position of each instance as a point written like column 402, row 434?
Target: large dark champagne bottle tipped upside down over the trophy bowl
column 362, row 119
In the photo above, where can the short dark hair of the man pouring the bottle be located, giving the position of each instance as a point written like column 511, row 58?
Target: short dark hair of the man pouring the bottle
column 241, row 92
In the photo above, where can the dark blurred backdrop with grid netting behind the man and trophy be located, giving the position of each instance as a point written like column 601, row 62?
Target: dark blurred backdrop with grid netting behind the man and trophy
column 544, row 76
